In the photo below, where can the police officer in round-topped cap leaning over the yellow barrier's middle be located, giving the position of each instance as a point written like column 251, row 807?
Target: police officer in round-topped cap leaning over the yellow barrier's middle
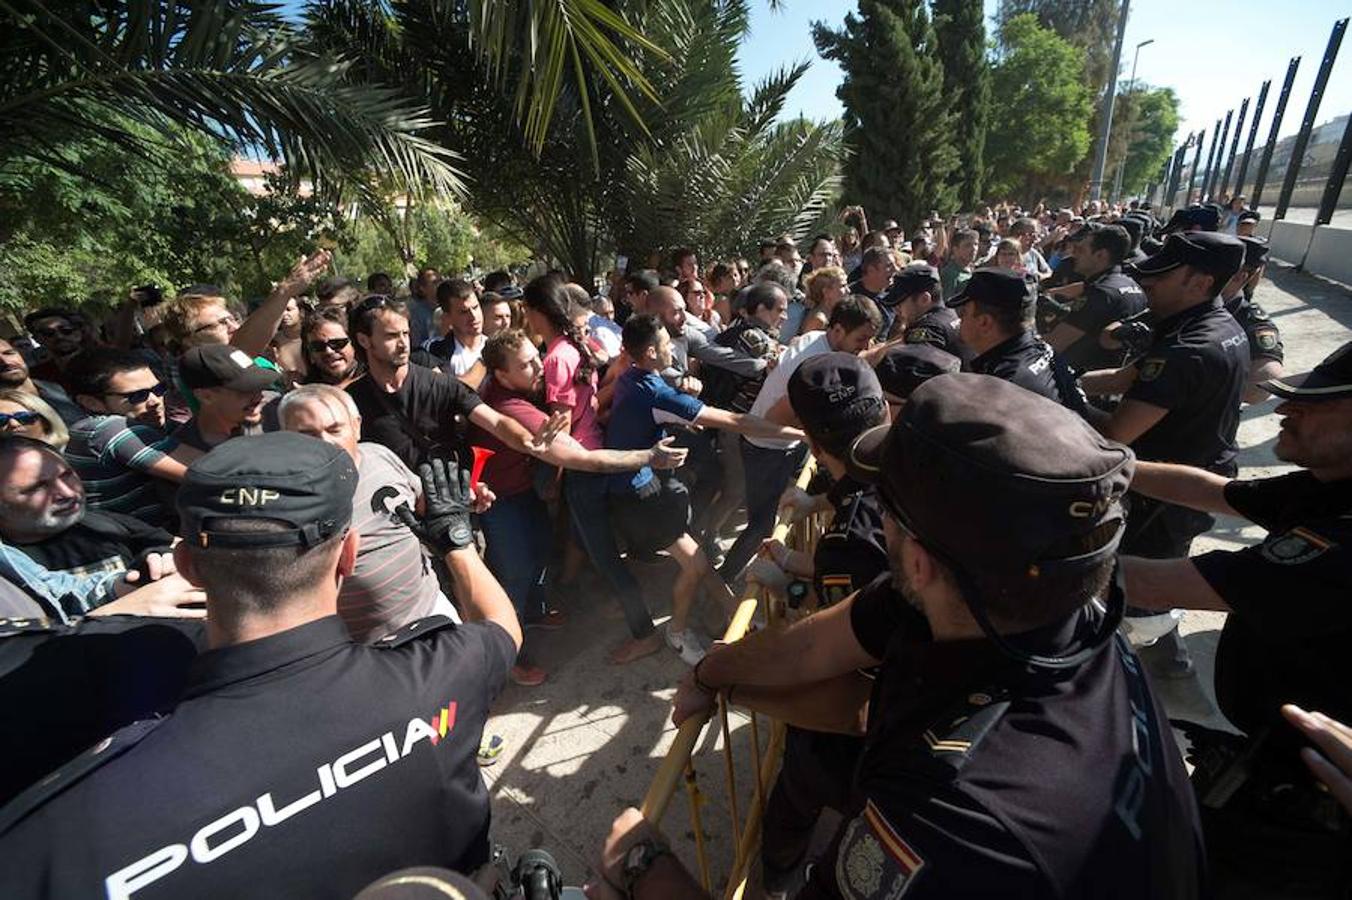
column 838, row 398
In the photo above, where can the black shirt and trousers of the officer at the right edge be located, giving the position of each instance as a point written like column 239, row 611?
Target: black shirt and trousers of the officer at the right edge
column 1280, row 829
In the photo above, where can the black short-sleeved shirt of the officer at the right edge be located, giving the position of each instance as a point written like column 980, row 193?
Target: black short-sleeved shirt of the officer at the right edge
column 1289, row 636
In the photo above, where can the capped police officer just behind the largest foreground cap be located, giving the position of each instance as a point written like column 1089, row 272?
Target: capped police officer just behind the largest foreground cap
column 996, row 321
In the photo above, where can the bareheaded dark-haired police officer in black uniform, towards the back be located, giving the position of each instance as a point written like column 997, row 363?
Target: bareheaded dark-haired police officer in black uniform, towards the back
column 1105, row 297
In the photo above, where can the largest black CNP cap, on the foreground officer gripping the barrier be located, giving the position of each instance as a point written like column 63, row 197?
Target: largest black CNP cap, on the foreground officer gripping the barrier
column 992, row 475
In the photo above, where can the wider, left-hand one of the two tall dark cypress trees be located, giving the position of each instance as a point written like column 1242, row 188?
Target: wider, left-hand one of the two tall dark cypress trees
column 897, row 114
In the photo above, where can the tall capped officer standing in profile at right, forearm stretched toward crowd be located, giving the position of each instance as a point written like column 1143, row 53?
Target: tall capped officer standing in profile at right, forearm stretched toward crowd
column 1181, row 403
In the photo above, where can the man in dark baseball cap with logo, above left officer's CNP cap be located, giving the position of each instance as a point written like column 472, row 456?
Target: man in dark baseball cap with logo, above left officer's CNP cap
column 232, row 390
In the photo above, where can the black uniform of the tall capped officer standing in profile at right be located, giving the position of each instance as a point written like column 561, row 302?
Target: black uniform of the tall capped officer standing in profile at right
column 1197, row 368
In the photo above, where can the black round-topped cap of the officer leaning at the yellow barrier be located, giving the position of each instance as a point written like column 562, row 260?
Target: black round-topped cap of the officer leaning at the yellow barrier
column 834, row 394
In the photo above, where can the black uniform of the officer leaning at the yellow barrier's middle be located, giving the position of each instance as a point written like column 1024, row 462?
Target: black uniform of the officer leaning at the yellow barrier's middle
column 817, row 767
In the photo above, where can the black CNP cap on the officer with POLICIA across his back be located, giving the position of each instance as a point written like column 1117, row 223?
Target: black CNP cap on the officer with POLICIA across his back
column 285, row 478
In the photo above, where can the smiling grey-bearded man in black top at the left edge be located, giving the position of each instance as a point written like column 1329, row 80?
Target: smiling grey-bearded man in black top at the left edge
column 44, row 516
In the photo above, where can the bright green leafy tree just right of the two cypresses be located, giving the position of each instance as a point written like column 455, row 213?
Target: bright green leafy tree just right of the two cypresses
column 1040, row 111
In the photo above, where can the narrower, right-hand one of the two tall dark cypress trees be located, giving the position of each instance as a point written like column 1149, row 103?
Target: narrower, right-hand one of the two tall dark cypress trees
column 961, row 26
